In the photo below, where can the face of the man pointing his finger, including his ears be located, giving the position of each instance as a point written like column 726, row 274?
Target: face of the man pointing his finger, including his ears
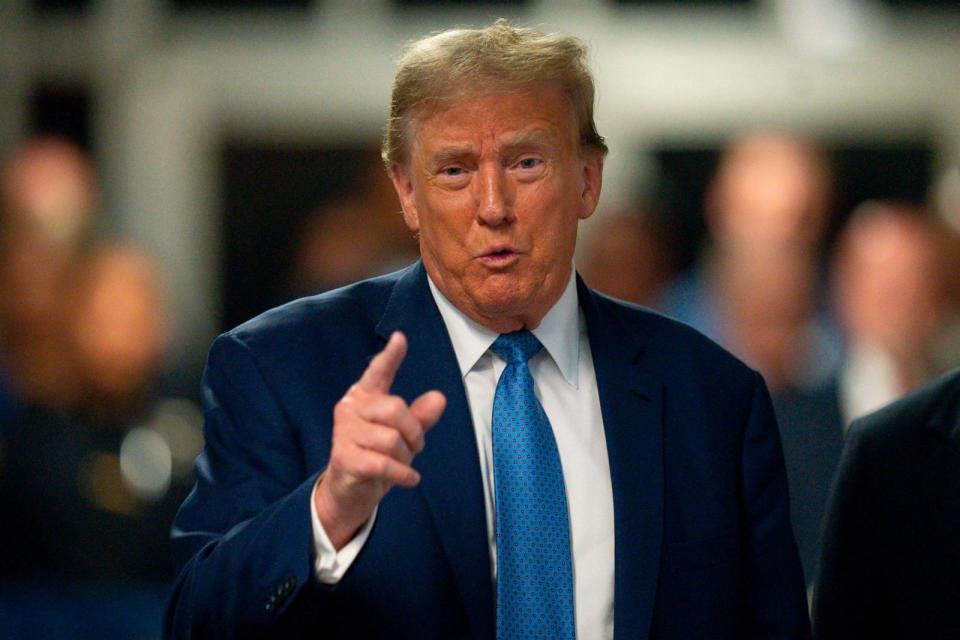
column 495, row 186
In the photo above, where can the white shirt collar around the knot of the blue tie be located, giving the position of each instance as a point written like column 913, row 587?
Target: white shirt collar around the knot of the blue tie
column 559, row 332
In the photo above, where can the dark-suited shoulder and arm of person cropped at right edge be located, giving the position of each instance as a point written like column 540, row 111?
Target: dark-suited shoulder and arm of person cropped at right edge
column 890, row 566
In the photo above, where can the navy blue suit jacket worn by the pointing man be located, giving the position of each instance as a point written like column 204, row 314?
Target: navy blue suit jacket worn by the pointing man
column 703, row 541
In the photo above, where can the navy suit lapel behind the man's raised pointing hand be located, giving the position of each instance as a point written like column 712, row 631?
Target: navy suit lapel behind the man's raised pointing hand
column 449, row 464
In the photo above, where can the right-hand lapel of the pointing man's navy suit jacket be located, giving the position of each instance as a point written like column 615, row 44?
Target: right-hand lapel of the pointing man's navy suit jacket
column 631, row 398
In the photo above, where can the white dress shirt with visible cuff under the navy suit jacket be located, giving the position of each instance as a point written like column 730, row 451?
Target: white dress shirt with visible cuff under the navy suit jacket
column 566, row 385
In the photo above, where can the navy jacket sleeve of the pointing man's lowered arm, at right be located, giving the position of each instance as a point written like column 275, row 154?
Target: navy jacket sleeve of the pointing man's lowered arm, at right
column 775, row 603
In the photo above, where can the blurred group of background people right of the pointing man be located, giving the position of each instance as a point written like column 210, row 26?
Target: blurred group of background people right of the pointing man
column 840, row 316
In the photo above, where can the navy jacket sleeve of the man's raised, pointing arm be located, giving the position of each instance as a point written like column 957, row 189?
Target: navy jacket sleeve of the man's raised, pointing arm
column 242, row 541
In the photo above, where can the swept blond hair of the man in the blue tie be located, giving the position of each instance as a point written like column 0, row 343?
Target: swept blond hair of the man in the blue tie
column 458, row 63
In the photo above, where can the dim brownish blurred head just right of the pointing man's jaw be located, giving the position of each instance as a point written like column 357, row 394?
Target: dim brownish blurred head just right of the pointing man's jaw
column 626, row 257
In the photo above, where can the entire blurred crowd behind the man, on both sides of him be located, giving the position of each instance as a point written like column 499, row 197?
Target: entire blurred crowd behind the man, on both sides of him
column 96, row 448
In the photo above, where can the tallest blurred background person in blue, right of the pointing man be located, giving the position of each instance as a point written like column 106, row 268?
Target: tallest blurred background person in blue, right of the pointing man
column 758, row 291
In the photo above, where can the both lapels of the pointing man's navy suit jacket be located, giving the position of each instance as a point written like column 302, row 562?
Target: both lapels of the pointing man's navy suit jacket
column 631, row 396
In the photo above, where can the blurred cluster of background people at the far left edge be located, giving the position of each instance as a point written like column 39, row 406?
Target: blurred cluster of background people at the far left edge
column 95, row 455
